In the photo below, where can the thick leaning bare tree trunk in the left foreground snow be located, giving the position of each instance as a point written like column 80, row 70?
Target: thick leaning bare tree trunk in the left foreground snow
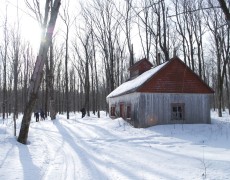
column 38, row 70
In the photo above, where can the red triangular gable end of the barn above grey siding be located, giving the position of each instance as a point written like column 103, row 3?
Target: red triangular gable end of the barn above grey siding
column 175, row 77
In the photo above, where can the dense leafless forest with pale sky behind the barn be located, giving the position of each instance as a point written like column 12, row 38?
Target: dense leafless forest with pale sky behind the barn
column 95, row 43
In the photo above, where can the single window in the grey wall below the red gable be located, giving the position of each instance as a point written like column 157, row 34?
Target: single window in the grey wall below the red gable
column 177, row 111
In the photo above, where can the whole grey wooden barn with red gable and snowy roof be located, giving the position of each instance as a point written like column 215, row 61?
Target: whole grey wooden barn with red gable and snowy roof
column 167, row 94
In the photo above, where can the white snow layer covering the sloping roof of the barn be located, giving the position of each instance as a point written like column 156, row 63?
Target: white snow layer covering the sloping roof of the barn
column 135, row 83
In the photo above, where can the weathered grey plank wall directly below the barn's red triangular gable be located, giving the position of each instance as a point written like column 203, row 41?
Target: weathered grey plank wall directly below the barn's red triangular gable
column 156, row 108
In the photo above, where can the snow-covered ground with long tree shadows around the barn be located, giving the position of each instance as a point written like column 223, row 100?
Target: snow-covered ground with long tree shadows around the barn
column 101, row 149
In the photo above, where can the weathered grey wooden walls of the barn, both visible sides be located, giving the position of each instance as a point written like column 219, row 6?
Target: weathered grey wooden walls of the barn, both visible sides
column 148, row 109
